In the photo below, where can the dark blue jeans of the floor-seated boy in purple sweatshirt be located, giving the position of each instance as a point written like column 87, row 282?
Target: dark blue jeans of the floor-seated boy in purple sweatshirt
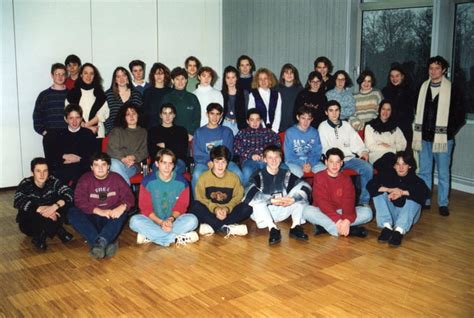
column 93, row 226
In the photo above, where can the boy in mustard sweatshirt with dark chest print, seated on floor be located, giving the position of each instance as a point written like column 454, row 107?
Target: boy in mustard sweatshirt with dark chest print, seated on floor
column 219, row 193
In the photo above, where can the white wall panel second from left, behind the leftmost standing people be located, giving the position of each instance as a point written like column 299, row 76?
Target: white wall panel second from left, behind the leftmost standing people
column 46, row 32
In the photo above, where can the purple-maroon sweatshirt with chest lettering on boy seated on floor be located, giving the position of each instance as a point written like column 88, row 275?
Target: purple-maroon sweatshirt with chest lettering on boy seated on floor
column 104, row 194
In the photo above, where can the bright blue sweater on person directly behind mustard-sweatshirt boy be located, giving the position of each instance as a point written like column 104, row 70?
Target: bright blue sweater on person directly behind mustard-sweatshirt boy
column 205, row 139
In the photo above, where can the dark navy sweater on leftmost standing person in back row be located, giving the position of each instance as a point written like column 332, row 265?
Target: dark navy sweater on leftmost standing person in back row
column 49, row 110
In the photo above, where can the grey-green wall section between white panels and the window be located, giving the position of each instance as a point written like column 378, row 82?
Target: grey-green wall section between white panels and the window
column 274, row 33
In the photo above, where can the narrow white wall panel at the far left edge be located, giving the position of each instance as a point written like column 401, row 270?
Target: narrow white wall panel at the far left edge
column 10, row 154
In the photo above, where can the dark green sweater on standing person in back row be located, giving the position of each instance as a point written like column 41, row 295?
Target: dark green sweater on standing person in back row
column 188, row 110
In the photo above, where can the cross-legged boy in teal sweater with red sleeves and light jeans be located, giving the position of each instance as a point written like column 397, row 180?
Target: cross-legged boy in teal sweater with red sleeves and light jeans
column 163, row 201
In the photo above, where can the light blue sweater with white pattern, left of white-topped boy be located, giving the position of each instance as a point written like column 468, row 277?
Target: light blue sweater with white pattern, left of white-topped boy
column 302, row 147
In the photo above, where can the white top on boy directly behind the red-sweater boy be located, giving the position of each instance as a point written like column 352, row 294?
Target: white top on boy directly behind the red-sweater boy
column 343, row 137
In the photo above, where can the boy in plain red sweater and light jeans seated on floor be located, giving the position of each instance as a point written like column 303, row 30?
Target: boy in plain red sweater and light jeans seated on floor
column 334, row 209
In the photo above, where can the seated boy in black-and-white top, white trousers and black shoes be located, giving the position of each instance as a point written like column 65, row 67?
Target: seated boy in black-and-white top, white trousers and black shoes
column 276, row 194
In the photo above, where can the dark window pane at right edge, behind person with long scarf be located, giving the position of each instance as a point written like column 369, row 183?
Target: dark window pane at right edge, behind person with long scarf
column 464, row 52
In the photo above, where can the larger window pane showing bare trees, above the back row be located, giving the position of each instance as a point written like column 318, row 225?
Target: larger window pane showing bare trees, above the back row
column 397, row 35
